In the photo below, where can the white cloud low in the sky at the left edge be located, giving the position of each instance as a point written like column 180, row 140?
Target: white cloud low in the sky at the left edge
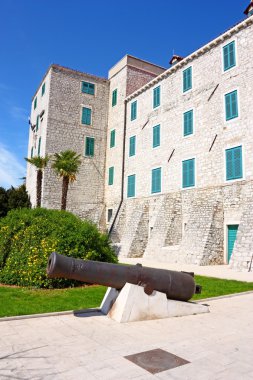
column 10, row 169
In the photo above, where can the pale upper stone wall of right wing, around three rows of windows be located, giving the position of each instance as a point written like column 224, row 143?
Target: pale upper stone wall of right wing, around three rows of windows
column 209, row 121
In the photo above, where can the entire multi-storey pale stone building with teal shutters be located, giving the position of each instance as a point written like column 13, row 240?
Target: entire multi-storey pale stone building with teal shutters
column 167, row 154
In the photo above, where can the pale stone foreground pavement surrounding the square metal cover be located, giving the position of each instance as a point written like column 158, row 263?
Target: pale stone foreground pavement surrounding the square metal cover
column 218, row 345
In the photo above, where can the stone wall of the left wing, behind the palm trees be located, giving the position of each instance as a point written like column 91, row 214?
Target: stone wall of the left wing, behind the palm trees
column 63, row 130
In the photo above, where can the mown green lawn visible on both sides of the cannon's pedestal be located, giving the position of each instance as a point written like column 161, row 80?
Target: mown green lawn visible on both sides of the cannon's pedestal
column 21, row 301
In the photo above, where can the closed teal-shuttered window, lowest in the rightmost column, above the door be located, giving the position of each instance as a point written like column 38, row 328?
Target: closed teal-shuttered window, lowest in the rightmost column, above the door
column 234, row 163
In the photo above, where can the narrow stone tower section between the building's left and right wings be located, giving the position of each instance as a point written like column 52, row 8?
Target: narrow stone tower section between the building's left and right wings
column 126, row 76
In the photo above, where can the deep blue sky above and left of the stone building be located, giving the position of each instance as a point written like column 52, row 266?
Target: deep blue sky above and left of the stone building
column 89, row 36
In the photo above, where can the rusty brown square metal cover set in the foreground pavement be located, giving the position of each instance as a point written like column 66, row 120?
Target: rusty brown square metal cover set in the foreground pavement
column 157, row 360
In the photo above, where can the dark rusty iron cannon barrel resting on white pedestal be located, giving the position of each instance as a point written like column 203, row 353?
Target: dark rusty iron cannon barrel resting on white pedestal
column 176, row 285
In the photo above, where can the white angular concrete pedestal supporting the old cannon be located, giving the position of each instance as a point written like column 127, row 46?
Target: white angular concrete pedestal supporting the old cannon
column 132, row 304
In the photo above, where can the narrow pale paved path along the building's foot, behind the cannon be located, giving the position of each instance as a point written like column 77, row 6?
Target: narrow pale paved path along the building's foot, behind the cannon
column 219, row 271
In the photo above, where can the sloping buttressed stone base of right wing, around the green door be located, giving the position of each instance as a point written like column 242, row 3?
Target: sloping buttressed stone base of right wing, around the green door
column 187, row 227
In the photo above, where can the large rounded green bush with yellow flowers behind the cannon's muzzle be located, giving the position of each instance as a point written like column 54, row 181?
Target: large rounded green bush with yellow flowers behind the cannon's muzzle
column 28, row 236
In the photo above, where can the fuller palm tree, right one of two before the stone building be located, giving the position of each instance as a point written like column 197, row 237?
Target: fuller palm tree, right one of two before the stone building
column 66, row 165
